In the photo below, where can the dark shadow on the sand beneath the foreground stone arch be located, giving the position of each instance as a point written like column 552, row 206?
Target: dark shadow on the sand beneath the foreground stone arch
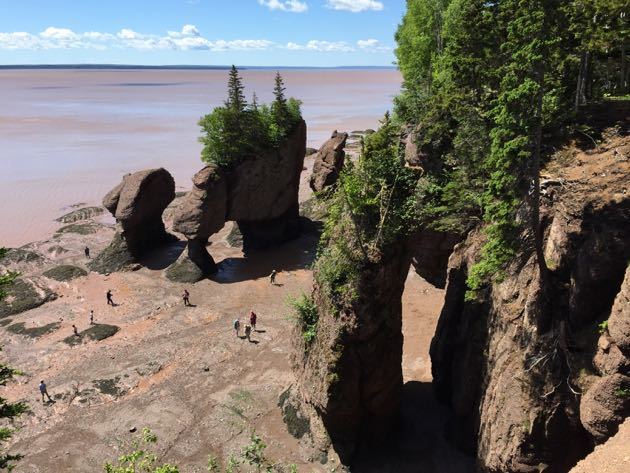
column 418, row 445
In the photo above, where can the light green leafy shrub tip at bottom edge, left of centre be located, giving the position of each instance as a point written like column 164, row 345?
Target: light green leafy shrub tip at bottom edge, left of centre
column 140, row 457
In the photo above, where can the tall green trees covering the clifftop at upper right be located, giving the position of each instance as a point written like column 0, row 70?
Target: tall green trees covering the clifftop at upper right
column 483, row 84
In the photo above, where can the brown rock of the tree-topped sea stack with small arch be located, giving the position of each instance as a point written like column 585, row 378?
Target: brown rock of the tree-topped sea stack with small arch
column 260, row 194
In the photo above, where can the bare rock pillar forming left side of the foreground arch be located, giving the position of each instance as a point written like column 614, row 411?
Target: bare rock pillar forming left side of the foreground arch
column 350, row 378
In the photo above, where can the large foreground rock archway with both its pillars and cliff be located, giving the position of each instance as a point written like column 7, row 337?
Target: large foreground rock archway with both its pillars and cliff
column 511, row 363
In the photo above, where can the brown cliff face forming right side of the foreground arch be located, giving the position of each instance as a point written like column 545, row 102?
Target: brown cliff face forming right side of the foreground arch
column 509, row 361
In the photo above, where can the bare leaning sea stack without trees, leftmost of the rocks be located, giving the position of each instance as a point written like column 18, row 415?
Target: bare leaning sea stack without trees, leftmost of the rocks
column 137, row 203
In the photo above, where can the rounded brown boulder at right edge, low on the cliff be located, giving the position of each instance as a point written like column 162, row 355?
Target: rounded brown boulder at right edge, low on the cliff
column 605, row 405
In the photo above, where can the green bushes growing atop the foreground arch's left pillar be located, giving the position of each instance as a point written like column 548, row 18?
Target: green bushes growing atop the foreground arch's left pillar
column 373, row 205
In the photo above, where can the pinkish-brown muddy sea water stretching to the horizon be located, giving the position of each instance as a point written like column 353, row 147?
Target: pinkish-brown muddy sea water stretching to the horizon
column 68, row 136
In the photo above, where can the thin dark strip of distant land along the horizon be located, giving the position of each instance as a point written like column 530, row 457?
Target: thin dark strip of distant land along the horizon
column 182, row 67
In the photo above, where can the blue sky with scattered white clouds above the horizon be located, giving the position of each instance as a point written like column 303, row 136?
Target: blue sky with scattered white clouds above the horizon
column 204, row 32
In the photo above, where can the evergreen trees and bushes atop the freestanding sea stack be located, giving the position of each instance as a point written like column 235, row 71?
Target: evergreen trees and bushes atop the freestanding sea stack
column 238, row 130
